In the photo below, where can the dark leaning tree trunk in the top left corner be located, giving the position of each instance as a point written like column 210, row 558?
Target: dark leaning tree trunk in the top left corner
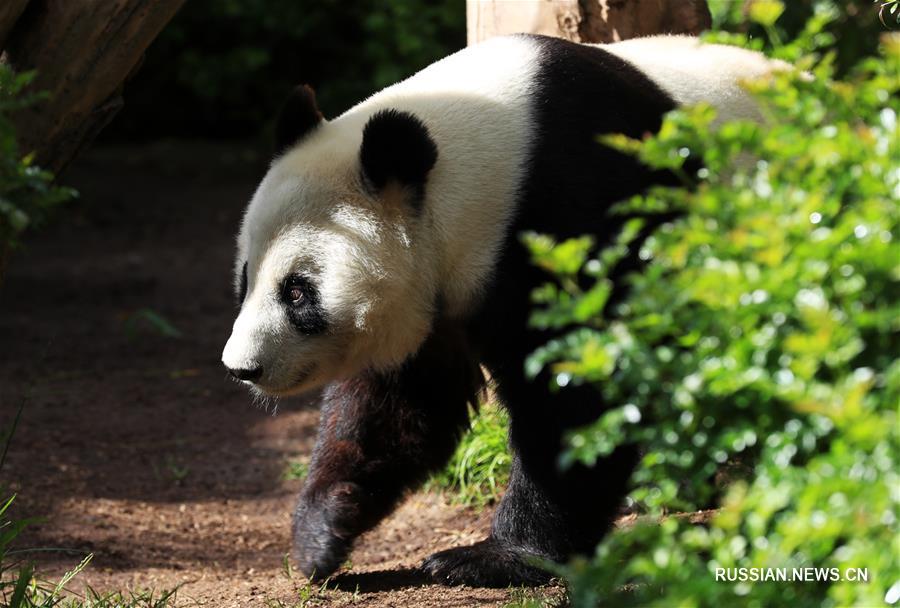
column 83, row 52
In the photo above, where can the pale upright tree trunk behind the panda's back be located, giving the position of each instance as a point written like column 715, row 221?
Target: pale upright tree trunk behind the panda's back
column 586, row 20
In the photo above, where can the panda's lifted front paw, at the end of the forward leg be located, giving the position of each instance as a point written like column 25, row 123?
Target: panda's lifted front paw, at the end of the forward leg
column 324, row 530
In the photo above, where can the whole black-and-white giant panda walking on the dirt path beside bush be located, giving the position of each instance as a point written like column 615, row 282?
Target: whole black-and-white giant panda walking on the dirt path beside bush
column 379, row 260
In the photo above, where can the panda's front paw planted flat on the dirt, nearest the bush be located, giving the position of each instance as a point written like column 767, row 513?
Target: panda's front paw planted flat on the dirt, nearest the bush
column 489, row 563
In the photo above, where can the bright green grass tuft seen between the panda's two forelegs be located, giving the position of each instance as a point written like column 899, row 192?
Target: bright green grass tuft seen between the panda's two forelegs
column 479, row 469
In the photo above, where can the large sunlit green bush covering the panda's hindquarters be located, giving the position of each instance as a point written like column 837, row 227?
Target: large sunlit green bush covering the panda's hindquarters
column 755, row 357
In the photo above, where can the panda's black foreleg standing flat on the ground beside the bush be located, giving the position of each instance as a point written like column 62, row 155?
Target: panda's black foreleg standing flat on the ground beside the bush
column 545, row 513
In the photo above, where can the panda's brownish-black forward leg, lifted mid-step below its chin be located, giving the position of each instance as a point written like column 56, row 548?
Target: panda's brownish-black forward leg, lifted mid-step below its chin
column 381, row 434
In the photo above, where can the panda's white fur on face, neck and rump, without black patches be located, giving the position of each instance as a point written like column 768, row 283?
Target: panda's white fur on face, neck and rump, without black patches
column 380, row 270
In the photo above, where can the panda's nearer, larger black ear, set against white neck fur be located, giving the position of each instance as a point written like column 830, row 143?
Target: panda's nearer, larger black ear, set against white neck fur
column 396, row 146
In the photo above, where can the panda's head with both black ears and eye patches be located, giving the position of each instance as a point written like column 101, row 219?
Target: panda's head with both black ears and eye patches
column 332, row 272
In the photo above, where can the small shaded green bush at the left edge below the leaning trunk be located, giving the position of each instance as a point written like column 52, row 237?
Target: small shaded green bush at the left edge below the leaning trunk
column 27, row 193
